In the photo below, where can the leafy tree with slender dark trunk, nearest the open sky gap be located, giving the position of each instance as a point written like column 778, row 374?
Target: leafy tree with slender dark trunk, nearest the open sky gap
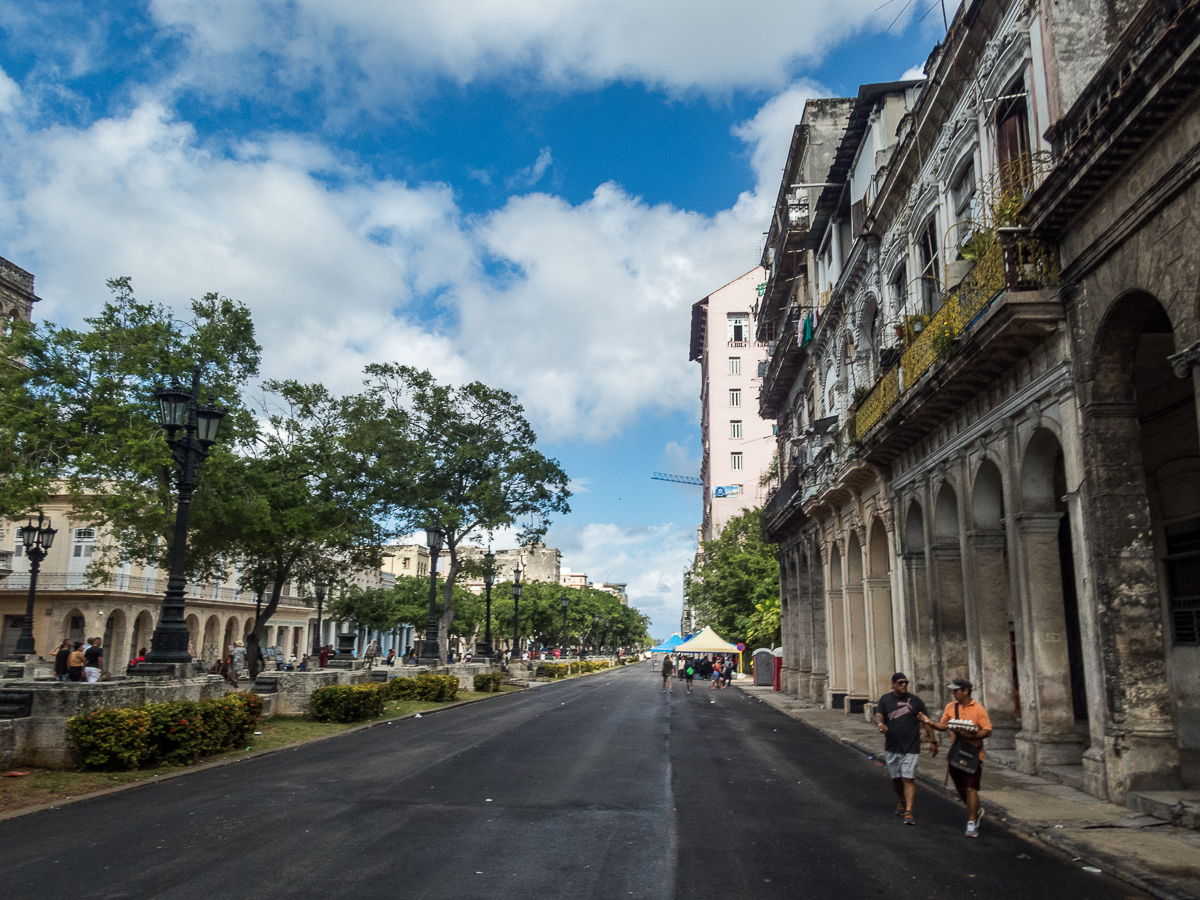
column 464, row 458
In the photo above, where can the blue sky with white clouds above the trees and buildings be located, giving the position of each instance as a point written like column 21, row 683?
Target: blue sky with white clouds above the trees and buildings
column 527, row 194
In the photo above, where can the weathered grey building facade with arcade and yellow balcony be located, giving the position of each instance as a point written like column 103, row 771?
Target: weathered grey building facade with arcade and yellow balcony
column 994, row 465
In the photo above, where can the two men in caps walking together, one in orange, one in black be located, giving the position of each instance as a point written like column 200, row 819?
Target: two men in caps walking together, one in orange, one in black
column 902, row 718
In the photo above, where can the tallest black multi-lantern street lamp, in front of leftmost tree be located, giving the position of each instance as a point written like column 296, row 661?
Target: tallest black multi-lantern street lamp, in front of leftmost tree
column 181, row 410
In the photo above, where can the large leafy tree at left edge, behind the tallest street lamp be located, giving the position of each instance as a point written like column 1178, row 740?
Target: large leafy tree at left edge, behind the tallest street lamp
column 80, row 415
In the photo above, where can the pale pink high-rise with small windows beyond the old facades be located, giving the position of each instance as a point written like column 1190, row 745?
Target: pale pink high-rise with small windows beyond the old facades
column 737, row 445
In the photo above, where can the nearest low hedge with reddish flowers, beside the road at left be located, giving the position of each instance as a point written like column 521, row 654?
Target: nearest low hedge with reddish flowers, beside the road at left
column 175, row 734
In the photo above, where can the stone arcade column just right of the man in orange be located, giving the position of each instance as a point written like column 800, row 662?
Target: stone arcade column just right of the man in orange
column 1049, row 739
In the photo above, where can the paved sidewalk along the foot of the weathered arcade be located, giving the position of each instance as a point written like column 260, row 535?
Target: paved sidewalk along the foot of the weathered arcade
column 1148, row 853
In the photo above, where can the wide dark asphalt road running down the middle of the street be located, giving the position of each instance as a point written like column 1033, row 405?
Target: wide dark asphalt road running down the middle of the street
column 597, row 788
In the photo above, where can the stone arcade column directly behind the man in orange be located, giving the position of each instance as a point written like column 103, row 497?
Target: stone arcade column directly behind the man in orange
column 991, row 615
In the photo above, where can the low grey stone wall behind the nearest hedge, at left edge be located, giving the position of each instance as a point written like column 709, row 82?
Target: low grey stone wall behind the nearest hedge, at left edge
column 40, row 739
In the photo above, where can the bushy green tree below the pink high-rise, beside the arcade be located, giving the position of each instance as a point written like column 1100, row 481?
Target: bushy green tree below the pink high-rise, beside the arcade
column 735, row 585
